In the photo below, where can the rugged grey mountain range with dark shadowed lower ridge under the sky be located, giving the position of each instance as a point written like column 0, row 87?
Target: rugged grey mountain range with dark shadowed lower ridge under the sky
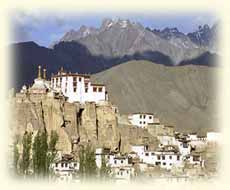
column 92, row 50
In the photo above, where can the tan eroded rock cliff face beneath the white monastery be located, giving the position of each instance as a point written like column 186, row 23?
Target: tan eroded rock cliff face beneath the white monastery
column 75, row 124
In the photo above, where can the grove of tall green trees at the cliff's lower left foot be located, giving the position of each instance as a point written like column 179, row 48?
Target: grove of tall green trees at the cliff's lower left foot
column 37, row 154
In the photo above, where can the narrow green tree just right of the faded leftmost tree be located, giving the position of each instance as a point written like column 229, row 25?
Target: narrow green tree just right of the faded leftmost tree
column 26, row 144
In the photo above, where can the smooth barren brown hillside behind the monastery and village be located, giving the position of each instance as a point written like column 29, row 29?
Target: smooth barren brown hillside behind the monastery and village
column 183, row 96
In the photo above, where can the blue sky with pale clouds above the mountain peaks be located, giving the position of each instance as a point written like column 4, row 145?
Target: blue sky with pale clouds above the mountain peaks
column 47, row 27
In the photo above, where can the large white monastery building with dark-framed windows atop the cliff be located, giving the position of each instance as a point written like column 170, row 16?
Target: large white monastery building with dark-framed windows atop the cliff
column 78, row 87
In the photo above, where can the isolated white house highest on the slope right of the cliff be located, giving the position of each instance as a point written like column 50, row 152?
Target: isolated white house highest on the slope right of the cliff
column 142, row 119
